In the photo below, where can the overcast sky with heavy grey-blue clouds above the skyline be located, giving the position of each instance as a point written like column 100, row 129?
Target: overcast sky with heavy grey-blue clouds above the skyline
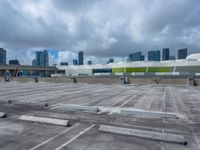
column 100, row 28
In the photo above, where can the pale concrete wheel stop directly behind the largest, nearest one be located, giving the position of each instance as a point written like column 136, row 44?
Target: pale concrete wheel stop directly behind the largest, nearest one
column 150, row 114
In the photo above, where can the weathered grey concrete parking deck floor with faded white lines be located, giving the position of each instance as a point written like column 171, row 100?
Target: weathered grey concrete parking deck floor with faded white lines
column 83, row 134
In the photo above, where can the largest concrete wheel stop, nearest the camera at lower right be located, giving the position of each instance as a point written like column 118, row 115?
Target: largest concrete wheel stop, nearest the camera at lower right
column 156, row 136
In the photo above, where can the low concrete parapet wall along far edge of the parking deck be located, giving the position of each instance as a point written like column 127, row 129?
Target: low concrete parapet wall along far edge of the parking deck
column 110, row 80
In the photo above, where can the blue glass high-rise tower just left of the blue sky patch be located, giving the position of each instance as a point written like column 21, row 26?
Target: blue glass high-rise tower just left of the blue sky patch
column 42, row 58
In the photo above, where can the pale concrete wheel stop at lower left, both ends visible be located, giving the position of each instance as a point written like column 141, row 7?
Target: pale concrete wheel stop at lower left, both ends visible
column 45, row 120
